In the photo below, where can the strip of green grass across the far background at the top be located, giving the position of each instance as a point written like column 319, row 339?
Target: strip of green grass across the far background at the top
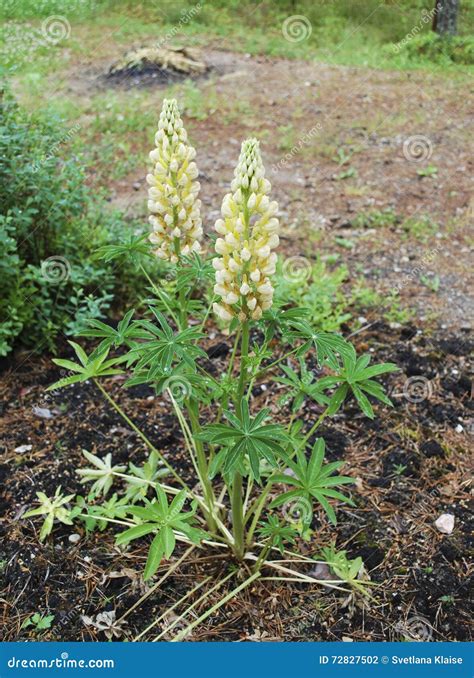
column 366, row 33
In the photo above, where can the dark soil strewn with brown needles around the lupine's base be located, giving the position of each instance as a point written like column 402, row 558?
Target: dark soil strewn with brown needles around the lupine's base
column 411, row 465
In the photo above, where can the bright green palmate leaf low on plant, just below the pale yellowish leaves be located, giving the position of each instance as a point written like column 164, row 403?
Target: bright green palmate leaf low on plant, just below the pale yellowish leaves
column 163, row 520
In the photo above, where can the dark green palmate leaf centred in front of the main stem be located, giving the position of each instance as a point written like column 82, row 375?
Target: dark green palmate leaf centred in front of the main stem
column 249, row 439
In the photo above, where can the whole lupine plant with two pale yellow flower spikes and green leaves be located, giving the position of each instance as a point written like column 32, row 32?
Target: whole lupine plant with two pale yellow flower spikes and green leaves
column 262, row 480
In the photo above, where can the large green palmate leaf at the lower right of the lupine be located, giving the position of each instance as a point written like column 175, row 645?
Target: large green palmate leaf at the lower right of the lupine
column 312, row 480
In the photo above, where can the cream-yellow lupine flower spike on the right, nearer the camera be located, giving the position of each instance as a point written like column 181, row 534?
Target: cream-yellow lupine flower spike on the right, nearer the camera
column 249, row 234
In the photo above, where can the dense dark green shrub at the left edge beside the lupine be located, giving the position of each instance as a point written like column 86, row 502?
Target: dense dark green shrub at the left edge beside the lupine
column 49, row 230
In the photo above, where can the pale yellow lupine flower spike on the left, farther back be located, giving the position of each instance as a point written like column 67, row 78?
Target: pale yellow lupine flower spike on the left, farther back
column 173, row 203
